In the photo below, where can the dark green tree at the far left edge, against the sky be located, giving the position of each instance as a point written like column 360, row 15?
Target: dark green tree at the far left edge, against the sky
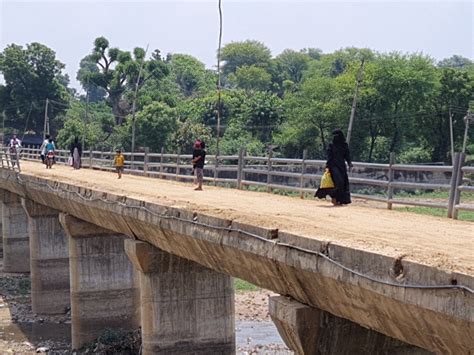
column 31, row 75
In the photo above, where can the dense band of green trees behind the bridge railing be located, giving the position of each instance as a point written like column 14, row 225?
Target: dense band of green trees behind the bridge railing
column 290, row 102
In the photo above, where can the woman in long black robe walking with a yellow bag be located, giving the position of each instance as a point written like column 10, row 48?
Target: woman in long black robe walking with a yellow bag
column 338, row 154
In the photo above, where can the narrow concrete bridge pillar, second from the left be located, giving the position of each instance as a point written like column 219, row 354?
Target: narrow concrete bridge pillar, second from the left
column 49, row 260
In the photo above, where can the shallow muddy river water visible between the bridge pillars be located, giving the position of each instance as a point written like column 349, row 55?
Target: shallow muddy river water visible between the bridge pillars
column 251, row 336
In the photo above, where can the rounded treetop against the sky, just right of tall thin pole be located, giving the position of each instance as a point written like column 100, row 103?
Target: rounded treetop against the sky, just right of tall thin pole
column 246, row 53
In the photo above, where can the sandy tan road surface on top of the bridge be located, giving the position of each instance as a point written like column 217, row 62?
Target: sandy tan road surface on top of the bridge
column 436, row 241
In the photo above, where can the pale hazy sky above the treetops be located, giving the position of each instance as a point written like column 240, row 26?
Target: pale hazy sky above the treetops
column 436, row 28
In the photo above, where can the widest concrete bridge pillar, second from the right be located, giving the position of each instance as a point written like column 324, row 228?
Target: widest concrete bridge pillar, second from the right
column 185, row 307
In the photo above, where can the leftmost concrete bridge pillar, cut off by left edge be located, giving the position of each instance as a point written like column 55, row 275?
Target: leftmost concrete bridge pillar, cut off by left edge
column 16, row 247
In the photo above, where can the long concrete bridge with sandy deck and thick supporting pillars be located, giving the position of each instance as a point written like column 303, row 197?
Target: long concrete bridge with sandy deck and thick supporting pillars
column 156, row 254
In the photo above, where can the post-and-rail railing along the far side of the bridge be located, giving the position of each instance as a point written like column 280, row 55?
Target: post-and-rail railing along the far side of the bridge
column 372, row 181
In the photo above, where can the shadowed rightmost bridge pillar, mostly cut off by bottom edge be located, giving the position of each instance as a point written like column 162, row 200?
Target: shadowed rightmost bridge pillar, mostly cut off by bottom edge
column 308, row 331
